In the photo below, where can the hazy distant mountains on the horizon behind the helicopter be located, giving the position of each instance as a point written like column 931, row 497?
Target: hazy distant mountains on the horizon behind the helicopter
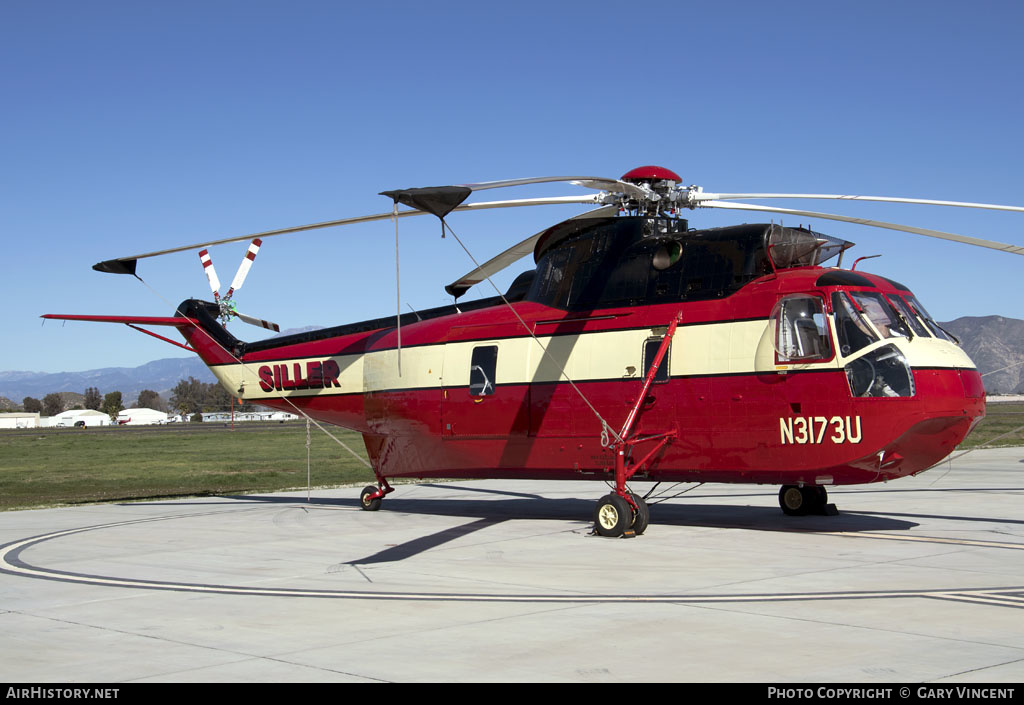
column 995, row 343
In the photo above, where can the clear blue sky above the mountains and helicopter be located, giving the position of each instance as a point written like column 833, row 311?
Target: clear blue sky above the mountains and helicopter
column 130, row 128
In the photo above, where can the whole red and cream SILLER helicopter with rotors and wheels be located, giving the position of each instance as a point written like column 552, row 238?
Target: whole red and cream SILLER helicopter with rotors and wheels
column 636, row 349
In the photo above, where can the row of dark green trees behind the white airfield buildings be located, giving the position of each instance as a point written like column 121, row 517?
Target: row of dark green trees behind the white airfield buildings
column 190, row 397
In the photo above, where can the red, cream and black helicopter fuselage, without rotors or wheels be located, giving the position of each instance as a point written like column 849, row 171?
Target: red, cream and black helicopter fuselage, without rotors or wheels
column 798, row 377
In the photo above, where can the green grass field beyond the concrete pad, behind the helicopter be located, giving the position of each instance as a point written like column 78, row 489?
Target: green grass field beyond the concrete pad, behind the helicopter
column 53, row 467
